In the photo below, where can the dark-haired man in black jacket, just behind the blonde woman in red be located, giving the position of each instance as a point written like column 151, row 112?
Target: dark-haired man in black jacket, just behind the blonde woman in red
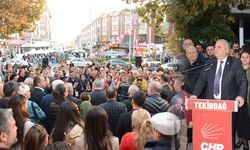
column 125, row 120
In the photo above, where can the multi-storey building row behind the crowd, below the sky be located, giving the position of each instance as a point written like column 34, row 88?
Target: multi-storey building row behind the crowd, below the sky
column 114, row 28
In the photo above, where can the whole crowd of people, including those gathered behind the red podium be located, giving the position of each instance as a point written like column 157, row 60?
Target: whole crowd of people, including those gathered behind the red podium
column 99, row 107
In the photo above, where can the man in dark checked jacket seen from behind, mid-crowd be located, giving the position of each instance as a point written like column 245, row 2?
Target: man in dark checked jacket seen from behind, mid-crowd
column 113, row 108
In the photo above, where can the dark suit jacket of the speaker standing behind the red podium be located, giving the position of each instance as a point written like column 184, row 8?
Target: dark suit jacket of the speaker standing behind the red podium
column 234, row 81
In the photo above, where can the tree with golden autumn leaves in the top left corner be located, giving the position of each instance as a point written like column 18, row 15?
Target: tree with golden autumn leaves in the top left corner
column 19, row 15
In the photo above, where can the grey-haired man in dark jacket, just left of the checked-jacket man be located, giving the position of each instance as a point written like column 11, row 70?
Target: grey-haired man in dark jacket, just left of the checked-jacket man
column 98, row 96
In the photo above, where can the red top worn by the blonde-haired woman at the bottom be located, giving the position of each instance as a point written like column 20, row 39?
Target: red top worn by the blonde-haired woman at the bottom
column 128, row 142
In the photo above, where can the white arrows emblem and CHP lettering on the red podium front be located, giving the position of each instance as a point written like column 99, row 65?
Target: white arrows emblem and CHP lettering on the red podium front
column 210, row 131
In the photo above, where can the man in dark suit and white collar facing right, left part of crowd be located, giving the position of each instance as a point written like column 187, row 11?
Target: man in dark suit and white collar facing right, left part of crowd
column 38, row 92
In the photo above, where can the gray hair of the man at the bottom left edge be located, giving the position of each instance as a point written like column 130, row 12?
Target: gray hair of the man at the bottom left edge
column 5, row 115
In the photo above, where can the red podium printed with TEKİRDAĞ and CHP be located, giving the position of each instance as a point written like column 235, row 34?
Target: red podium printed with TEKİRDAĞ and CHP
column 212, row 123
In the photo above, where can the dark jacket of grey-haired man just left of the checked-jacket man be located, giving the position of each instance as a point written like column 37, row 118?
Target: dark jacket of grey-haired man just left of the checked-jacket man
column 98, row 97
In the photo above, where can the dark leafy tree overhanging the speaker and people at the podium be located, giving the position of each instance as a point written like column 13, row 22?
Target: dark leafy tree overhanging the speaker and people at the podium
column 199, row 20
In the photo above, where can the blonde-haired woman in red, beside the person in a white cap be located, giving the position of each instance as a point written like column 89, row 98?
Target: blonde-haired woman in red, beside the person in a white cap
column 142, row 131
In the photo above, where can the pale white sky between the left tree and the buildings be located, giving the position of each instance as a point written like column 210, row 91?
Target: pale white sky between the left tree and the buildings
column 70, row 16
